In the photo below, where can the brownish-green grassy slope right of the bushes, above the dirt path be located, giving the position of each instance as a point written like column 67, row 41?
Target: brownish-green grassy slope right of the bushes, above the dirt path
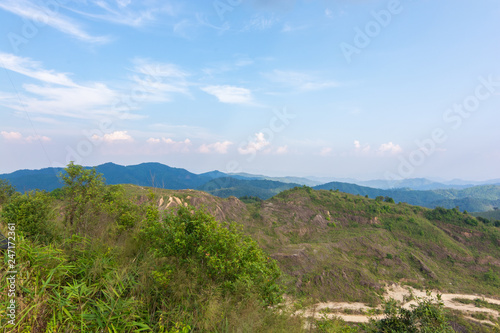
column 338, row 246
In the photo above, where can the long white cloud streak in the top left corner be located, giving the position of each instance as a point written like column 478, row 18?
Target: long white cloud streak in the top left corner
column 50, row 16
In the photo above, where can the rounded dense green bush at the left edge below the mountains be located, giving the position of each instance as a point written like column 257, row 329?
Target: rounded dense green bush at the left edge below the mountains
column 31, row 213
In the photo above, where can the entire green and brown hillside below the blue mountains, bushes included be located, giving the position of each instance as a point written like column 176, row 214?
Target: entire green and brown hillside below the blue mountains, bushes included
column 165, row 266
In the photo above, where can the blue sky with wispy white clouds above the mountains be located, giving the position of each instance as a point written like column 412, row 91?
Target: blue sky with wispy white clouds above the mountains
column 360, row 89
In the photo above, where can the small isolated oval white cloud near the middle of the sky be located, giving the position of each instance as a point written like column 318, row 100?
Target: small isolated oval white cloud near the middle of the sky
column 300, row 81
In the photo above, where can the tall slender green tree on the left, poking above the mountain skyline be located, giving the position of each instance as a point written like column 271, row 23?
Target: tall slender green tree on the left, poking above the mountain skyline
column 83, row 189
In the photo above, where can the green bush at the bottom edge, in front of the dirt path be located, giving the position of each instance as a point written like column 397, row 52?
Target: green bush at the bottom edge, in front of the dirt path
column 428, row 316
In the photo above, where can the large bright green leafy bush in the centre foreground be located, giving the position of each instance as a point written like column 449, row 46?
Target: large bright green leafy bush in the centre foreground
column 230, row 258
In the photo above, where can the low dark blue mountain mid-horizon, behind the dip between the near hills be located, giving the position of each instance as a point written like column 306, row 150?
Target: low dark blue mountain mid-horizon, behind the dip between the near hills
column 228, row 186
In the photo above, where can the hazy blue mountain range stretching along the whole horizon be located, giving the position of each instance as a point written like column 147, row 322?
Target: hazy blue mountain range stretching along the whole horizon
column 417, row 191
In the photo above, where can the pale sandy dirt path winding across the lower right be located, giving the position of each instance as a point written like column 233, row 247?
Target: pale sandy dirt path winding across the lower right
column 358, row 312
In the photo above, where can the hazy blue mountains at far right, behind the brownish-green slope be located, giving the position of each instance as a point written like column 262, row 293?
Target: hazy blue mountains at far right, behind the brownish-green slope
column 473, row 199
